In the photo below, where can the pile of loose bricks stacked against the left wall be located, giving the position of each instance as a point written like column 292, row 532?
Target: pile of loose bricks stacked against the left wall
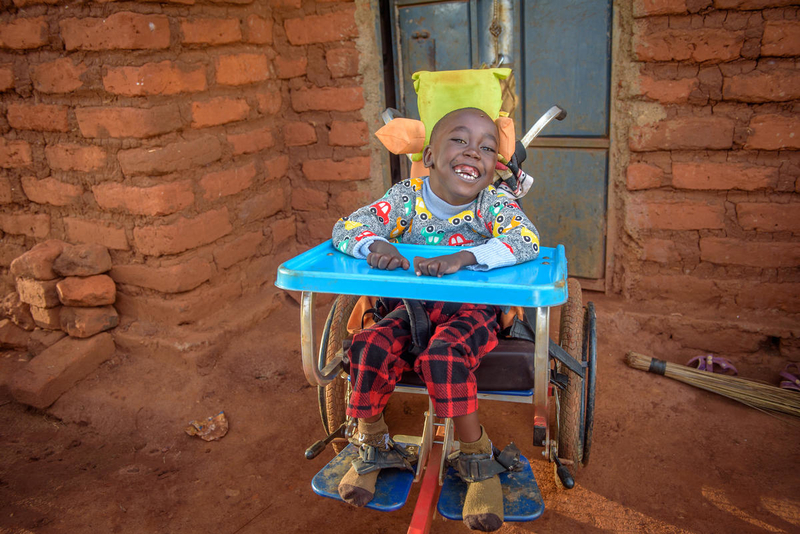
column 61, row 310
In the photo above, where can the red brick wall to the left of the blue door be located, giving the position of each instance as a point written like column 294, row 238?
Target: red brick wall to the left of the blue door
column 199, row 140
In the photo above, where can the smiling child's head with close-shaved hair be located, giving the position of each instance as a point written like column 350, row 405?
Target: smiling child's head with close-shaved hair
column 461, row 156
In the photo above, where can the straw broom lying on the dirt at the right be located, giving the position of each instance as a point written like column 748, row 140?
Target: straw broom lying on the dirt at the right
column 748, row 392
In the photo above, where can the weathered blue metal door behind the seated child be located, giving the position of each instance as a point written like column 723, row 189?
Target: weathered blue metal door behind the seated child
column 560, row 51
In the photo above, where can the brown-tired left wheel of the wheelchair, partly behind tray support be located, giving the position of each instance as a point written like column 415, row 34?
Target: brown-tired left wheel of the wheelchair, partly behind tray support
column 333, row 397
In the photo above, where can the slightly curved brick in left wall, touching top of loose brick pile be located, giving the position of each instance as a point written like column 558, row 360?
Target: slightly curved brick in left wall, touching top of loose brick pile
column 169, row 279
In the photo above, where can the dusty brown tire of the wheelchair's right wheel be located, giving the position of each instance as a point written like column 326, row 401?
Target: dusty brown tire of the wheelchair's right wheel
column 570, row 439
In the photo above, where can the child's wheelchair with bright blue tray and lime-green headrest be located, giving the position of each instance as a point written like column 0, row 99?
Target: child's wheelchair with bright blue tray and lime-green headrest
column 557, row 379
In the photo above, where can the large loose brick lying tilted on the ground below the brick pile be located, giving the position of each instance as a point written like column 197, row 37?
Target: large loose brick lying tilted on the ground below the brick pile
column 57, row 369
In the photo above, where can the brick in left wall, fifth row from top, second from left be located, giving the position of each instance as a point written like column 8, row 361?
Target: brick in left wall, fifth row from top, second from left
column 156, row 200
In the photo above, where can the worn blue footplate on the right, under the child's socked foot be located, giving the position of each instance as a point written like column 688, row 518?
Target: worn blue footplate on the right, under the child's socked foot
column 522, row 500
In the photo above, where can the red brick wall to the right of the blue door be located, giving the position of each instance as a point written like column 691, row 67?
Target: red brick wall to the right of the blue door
column 710, row 210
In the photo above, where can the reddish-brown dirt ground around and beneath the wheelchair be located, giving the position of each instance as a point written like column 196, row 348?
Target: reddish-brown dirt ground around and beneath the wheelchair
column 111, row 455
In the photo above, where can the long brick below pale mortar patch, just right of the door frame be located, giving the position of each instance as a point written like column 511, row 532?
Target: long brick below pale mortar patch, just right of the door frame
column 685, row 133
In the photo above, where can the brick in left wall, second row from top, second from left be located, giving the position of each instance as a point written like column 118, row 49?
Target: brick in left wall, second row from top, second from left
column 164, row 78
